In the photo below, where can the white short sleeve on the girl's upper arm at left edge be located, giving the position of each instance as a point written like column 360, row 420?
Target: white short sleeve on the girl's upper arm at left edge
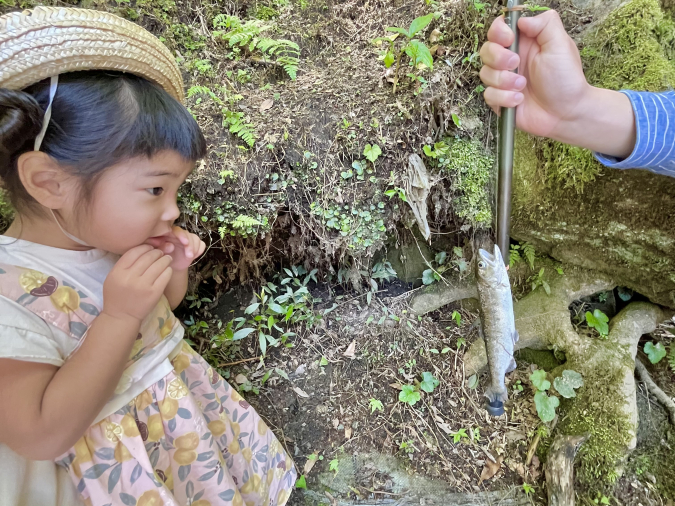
column 25, row 336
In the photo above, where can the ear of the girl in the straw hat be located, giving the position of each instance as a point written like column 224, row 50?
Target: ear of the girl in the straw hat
column 45, row 180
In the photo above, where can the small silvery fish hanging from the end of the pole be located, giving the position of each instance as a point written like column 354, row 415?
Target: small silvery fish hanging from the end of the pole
column 497, row 322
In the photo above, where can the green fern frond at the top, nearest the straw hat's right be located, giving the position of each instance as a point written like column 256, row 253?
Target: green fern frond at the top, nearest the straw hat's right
column 284, row 53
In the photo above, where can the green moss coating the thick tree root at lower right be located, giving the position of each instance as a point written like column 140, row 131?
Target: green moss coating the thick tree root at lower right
column 598, row 412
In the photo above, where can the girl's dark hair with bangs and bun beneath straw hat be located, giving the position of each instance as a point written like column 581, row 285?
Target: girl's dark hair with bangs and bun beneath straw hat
column 99, row 119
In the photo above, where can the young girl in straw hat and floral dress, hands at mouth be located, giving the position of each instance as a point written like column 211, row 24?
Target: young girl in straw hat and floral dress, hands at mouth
column 94, row 372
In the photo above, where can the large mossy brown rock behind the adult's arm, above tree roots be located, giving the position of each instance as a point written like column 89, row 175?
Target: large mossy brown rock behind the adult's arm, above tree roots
column 570, row 206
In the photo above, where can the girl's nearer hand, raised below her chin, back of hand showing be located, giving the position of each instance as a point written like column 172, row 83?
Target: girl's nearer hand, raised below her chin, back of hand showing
column 136, row 283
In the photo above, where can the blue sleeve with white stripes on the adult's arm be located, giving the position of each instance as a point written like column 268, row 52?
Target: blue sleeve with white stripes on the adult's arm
column 655, row 143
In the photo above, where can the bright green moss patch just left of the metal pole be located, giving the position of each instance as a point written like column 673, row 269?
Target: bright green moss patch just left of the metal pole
column 470, row 169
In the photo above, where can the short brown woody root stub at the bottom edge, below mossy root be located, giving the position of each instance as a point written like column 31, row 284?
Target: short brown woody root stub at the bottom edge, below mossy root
column 560, row 469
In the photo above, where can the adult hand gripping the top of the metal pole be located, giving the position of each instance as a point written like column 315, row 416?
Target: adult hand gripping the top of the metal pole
column 550, row 88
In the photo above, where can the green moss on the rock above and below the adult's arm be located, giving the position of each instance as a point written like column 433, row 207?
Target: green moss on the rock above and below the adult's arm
column 632, row 49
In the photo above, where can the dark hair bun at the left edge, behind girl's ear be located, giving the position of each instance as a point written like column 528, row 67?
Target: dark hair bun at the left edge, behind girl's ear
column 20, row 121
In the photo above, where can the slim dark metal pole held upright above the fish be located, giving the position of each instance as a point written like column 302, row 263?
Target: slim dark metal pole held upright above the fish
column 507, row 126
